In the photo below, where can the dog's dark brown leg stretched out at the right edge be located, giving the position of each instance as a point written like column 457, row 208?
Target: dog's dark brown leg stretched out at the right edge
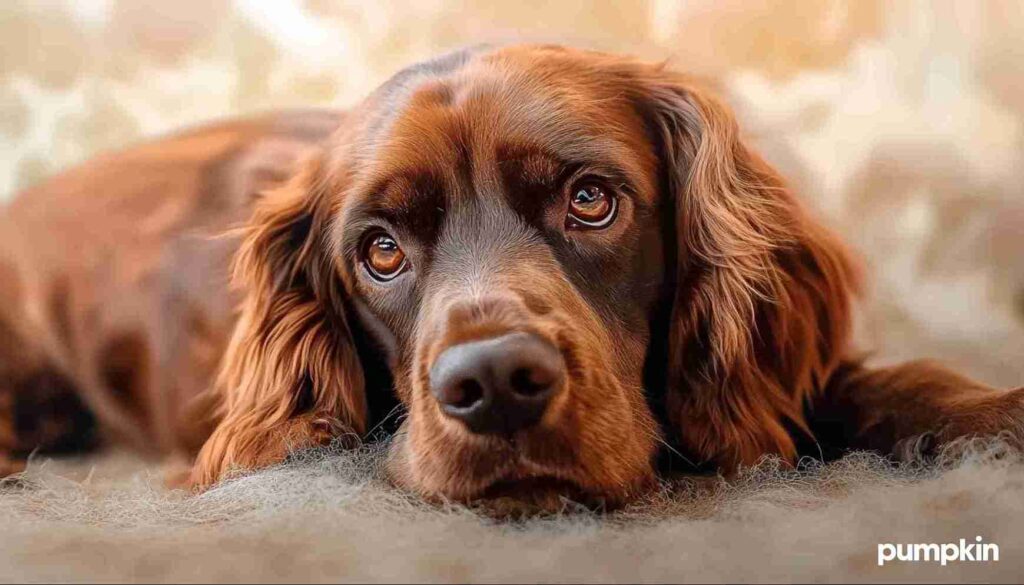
column 913, row 410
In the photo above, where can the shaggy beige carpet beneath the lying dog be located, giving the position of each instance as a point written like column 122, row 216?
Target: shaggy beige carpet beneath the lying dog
column 329, row 517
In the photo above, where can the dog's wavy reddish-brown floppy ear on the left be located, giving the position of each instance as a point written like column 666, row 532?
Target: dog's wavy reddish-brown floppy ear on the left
column 291, row 377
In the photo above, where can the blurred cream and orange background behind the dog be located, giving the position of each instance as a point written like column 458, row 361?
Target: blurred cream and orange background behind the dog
column 901, row 122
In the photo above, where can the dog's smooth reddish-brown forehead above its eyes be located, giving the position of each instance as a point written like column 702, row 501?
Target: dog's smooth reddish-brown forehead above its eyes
column 471, row 124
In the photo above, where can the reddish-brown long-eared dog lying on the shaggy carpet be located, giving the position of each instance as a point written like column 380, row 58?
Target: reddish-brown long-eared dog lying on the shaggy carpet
column 564, row 269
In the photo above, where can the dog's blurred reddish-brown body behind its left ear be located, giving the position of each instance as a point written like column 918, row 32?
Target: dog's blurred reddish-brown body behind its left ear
column 114, row 297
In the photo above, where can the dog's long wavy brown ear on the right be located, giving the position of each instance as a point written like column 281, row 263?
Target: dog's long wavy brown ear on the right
column 762, row 309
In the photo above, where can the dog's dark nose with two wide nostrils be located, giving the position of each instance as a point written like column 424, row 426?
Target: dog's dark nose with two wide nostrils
column 498, row 386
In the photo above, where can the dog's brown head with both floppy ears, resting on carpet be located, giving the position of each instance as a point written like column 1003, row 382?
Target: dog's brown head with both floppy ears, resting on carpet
column 552, row 252
